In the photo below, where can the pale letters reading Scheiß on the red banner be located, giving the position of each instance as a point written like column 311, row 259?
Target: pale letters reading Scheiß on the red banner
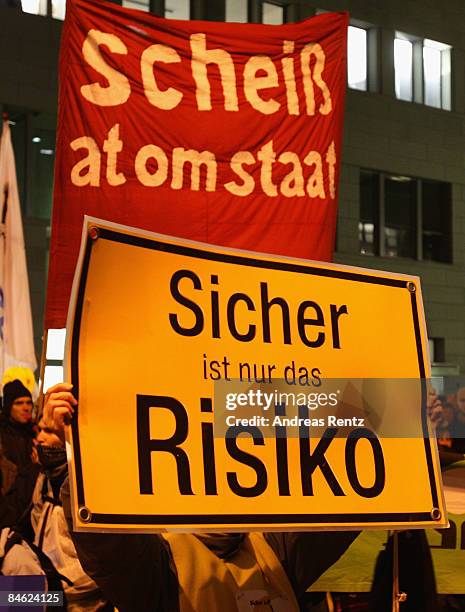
column 312, row 63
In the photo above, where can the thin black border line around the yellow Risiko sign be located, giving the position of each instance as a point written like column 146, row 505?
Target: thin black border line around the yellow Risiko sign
column 269, row 519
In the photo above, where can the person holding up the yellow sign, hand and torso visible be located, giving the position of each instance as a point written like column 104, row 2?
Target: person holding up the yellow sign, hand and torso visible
column 196, row 573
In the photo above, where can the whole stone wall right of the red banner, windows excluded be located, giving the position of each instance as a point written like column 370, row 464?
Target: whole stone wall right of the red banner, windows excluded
column 382, row 133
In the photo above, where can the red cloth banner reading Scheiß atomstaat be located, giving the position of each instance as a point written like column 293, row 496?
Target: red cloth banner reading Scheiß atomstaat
column 224, row 133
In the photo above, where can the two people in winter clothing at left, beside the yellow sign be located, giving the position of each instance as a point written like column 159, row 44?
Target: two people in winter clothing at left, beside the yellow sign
column 35, row 538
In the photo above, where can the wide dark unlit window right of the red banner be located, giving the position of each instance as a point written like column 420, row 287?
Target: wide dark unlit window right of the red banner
column 402, row 216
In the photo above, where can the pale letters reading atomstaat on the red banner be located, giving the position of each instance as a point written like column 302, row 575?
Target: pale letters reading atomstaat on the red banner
column 203, row 169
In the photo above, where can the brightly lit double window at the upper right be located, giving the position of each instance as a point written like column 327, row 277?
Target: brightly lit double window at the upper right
column 422, row 71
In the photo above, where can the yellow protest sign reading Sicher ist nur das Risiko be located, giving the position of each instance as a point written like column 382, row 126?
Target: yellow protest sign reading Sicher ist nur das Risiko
column 169, row 342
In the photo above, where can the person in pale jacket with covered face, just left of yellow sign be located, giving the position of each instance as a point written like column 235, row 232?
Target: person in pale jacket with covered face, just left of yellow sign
column 36, row 538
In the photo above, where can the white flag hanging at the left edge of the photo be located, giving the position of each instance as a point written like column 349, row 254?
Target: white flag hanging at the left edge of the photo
column 16, row 332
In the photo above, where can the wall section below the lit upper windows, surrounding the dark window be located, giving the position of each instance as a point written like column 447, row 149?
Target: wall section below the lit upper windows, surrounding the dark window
column 405, row 138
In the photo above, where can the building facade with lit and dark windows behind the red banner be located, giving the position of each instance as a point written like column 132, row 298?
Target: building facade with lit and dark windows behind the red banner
column 402, row 189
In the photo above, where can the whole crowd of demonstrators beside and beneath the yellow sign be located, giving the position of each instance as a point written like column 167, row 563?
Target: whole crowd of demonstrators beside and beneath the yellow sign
column 179, row 572
